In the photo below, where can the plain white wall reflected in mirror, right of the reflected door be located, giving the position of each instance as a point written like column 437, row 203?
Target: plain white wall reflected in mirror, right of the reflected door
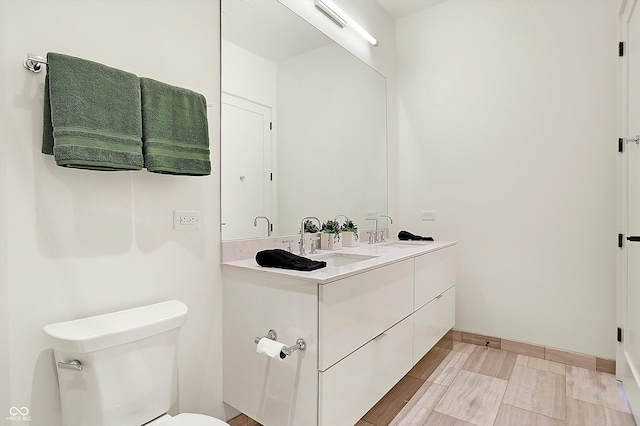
column 331, row 138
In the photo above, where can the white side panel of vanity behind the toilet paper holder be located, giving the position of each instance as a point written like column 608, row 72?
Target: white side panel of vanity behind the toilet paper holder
column 272, row 391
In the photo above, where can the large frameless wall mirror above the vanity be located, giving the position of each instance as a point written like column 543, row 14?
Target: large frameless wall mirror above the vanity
column 303, row 125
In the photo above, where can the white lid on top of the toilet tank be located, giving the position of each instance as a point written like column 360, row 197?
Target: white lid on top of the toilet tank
column 116, row 328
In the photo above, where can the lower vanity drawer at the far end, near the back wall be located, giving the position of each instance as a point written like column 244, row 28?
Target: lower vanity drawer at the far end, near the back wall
column 432, row 322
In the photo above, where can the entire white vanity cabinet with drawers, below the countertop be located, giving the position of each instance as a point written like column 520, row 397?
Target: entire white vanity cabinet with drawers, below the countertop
column 364, row 331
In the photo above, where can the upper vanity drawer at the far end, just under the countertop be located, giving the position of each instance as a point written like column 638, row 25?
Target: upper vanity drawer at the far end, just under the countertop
column 435, row 273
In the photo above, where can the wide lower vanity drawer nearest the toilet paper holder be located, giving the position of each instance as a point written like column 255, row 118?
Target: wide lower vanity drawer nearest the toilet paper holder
column 351, row 387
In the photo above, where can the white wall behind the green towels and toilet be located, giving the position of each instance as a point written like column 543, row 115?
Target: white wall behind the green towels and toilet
column 75, row 243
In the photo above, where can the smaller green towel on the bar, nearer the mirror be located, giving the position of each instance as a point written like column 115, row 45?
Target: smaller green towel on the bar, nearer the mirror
column 175, row 132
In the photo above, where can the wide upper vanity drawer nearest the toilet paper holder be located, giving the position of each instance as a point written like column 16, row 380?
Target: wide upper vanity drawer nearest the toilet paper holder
column 354, row 310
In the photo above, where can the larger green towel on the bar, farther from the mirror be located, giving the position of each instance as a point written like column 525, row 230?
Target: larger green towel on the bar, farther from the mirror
column 92, row 115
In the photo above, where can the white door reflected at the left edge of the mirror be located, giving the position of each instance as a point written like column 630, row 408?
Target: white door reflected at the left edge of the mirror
column 246, row 168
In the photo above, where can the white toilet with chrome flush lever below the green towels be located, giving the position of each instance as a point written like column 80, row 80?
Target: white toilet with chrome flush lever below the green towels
column 120, row 369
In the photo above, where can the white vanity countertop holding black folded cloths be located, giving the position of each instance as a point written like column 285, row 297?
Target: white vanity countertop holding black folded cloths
column 381, row 254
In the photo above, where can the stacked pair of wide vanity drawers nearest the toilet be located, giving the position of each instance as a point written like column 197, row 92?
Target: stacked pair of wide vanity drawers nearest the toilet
column 366, row 333
